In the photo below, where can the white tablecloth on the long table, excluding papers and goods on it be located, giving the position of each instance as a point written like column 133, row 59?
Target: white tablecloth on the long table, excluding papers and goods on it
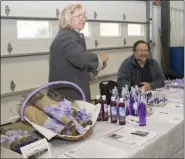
column 168, row 143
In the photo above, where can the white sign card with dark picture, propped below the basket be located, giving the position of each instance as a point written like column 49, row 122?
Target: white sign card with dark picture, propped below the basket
column 38, row 149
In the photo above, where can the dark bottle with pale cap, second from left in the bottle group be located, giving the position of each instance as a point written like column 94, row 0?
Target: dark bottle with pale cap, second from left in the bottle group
column 104, row 105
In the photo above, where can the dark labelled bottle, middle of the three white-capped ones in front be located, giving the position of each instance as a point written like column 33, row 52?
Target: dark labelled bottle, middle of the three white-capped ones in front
column 113, row 110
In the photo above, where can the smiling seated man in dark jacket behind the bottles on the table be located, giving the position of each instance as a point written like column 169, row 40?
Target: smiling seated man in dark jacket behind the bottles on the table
column 140, row 70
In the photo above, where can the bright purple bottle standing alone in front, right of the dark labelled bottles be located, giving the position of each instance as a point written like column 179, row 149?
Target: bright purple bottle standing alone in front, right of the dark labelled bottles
column 142, row 113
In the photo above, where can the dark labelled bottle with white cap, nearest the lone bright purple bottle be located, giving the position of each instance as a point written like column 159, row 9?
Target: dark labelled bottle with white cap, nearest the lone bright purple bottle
column 122, row 112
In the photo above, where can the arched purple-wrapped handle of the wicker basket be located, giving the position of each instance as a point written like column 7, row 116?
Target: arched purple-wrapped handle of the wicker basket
column 43, row 86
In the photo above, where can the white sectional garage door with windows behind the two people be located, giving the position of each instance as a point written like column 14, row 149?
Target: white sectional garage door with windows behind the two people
column 27, row 30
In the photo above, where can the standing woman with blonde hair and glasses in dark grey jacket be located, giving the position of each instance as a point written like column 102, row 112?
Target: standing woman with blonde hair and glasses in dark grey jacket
column 69, row 59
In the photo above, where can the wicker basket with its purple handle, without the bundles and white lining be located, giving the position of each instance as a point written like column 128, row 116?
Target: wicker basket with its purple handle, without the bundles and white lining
column 45, row 86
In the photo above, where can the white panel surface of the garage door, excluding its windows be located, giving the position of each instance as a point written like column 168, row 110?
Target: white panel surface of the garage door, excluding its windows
column 34, row 69
